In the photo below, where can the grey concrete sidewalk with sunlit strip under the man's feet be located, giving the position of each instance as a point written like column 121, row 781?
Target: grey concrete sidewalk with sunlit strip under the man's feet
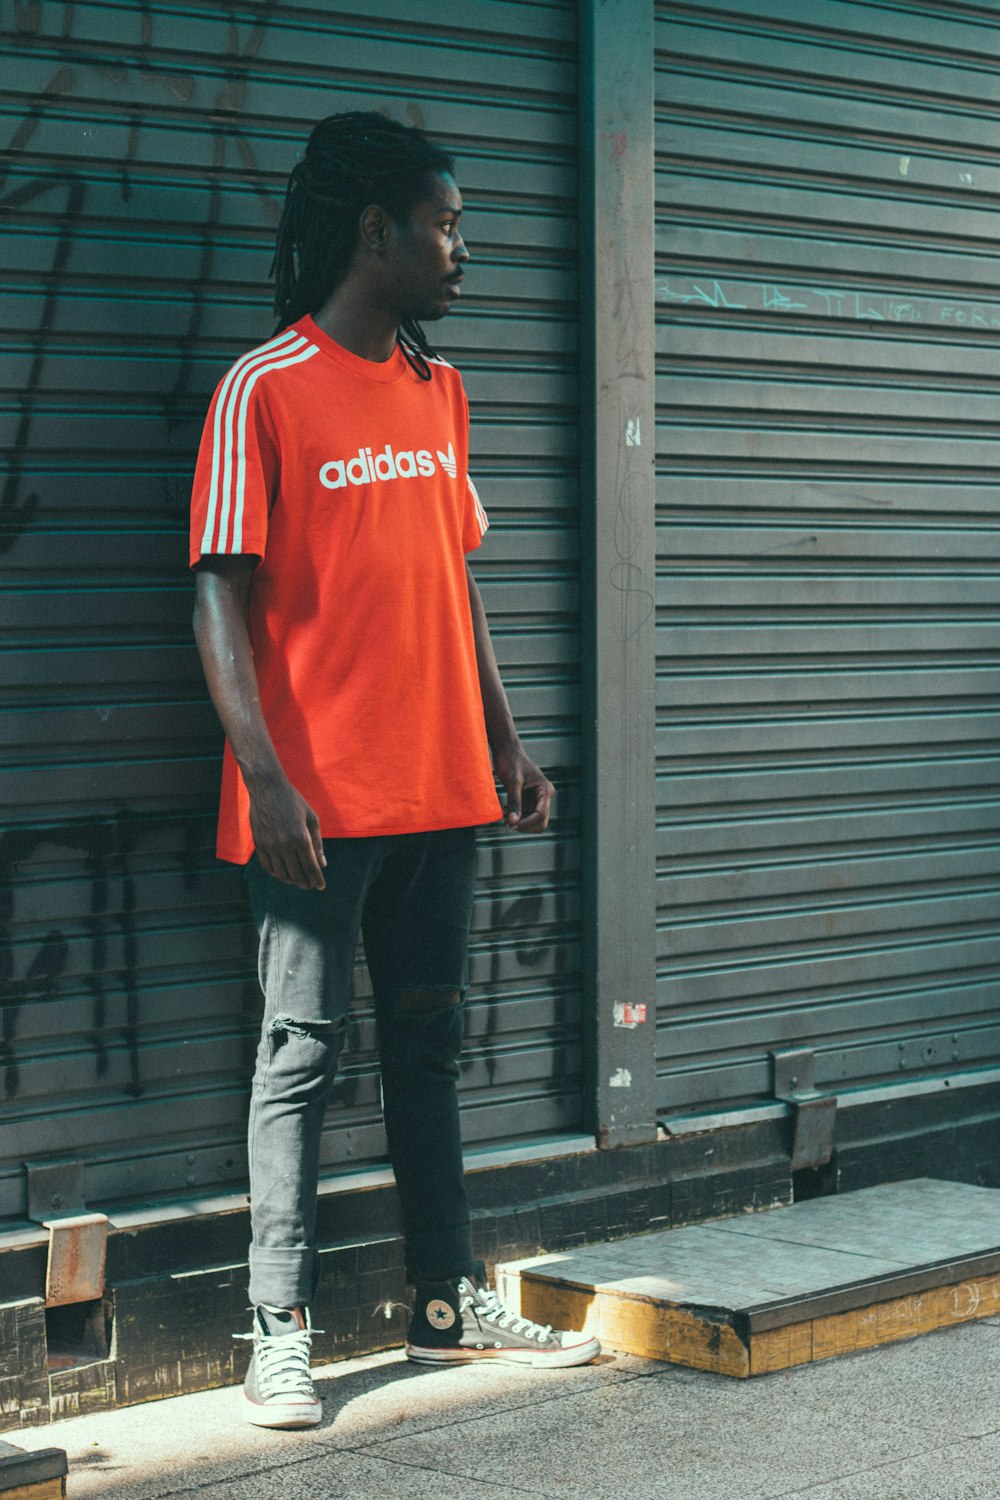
column 914, row 1421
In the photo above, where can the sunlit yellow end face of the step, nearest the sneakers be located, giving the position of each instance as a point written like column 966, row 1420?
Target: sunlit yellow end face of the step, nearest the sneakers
column 638, row 1325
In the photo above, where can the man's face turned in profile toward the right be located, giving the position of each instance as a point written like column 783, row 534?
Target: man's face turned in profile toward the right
column 427, row 254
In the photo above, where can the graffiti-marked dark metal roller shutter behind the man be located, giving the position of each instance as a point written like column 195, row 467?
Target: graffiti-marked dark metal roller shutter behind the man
column 149, row 151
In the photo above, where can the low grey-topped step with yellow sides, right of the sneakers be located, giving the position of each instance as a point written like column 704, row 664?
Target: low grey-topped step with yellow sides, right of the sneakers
column 762, row 1292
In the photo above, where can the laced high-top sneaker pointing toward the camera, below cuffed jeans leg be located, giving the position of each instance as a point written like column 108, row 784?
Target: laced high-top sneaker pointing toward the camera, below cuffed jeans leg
column 278, row 1390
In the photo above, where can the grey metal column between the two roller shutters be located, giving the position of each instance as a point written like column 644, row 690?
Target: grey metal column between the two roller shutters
column 618, row 815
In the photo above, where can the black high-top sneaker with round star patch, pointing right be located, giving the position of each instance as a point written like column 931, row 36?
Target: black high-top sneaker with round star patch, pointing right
column 460, row 1321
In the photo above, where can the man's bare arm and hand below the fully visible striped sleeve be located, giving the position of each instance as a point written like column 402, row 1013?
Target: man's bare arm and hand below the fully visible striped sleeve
column 286, row 829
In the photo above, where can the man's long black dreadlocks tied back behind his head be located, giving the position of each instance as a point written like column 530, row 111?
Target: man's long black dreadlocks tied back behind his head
column 352, row 160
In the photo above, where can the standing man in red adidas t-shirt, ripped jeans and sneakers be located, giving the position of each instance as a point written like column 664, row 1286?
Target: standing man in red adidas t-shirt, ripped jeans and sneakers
column 349, row 656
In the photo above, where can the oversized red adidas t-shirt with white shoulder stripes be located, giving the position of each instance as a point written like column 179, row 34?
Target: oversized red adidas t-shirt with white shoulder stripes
column 349, row 479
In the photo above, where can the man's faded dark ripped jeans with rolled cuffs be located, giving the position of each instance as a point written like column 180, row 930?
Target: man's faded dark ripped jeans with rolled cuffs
column 412, row 898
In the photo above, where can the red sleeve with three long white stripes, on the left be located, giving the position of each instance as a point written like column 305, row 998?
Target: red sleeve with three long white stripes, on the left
column 238, row 470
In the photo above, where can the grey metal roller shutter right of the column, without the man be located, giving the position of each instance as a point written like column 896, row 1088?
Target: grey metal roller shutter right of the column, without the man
column 828, row 311
